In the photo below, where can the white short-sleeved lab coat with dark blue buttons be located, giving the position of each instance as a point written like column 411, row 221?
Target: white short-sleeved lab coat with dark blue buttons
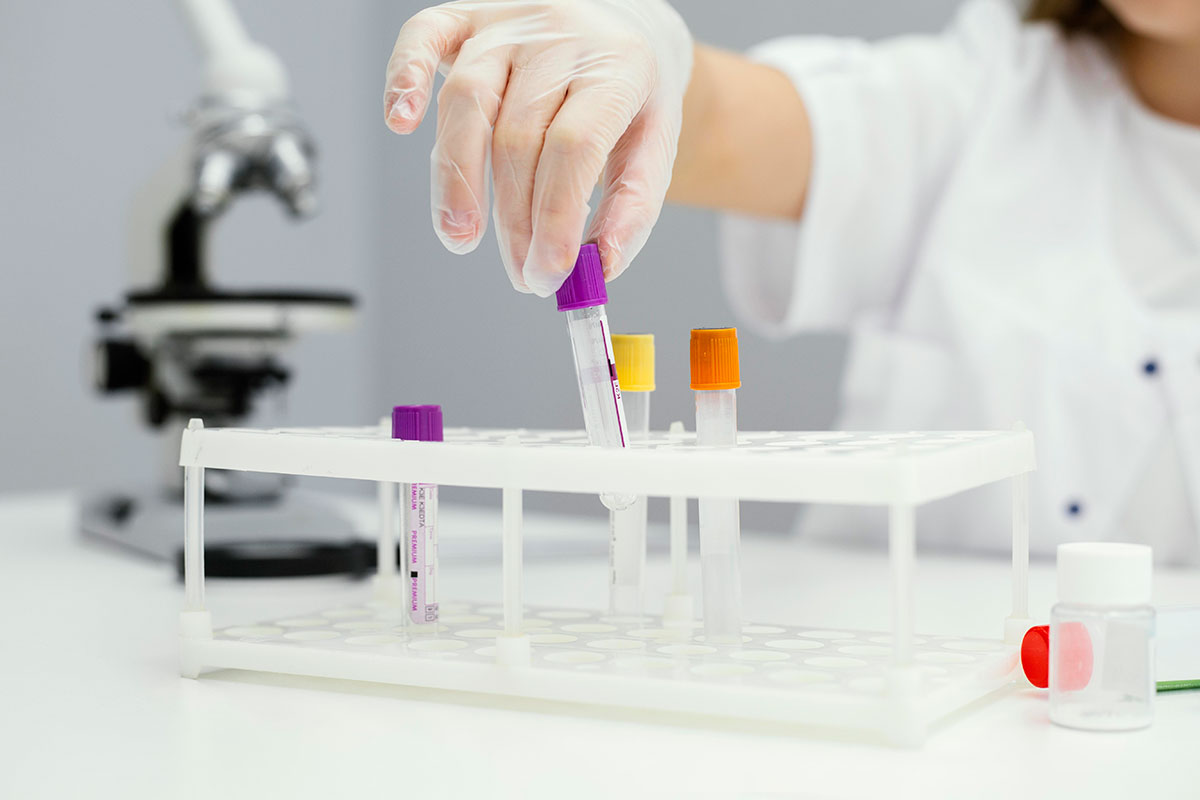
column 1009, row 236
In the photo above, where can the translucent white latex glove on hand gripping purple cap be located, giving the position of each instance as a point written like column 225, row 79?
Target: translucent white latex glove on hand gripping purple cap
column 559, row 94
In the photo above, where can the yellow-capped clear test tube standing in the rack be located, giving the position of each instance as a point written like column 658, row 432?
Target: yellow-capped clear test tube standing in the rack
column 627, row 546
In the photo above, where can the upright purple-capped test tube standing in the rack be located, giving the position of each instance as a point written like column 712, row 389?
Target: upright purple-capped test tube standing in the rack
column 419, row 503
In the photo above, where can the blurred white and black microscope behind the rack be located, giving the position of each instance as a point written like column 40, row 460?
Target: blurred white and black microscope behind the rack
column 189, row 348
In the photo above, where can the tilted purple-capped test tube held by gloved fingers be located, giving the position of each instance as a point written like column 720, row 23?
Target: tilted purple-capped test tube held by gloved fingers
column 583, row 297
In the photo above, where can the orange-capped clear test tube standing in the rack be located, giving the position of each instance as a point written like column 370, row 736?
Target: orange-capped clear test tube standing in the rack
column 716, row 377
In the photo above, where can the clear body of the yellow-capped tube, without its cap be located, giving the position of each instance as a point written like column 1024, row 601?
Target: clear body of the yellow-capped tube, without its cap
column 627, row 549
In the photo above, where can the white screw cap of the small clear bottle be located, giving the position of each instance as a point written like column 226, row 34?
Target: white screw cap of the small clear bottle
column 1105, row 574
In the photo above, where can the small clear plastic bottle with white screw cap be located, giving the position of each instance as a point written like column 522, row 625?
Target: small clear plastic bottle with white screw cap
column 1102, row 639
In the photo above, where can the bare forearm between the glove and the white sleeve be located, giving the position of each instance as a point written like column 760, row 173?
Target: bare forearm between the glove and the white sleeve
column 746, row 145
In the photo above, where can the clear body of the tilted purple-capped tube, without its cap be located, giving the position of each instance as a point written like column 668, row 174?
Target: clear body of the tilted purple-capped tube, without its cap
column 604, row 414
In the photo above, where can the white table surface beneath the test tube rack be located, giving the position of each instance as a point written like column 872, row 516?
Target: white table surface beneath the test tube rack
column 92, row 703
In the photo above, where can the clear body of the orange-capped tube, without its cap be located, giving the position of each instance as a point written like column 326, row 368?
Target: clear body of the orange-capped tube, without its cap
column 721, row 533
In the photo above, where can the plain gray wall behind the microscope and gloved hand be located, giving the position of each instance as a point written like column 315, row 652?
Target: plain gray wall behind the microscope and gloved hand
column 92, row 98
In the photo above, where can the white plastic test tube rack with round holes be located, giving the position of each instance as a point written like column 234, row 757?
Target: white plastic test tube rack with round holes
column 892, row 685
